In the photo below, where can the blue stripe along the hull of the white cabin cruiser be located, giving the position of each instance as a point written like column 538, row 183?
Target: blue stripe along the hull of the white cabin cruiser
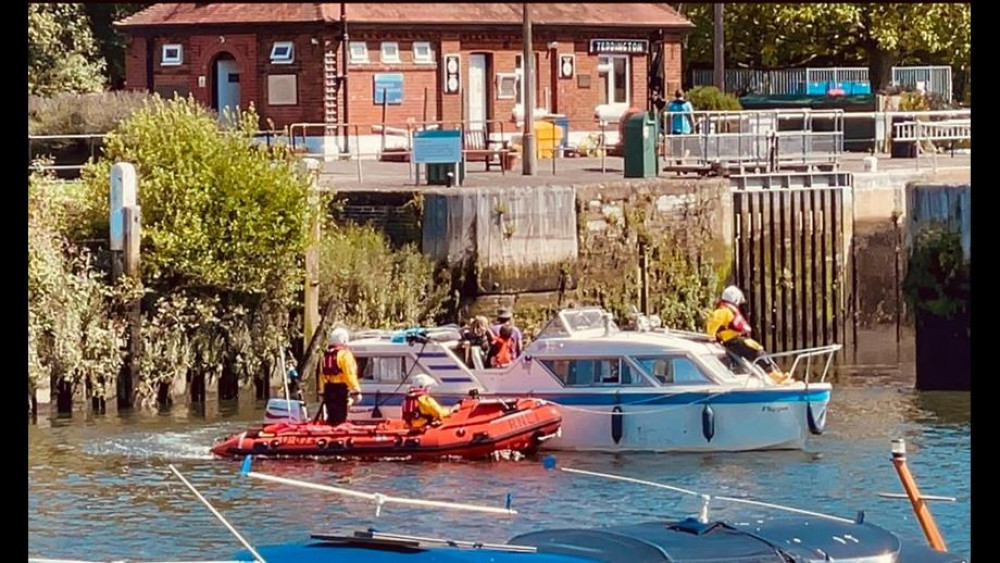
column 642, row 399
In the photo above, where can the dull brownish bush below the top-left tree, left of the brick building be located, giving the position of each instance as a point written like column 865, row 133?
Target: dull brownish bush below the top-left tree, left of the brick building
column 77, row 114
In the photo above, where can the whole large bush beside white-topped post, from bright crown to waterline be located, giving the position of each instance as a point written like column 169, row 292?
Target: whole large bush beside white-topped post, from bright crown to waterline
column 223, row 234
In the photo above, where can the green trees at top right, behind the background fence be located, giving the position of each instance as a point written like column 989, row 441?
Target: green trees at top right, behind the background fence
column 877, row 35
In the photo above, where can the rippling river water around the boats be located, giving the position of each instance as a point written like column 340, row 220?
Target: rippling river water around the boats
column 100, row 488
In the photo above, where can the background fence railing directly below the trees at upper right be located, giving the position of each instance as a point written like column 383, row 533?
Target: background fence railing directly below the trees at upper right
column 933, row 79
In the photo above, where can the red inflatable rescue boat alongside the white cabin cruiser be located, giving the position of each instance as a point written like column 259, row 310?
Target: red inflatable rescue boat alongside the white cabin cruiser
column 478, row 429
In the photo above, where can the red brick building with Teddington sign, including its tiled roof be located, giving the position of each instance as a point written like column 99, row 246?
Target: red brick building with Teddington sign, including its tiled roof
column 331, row 64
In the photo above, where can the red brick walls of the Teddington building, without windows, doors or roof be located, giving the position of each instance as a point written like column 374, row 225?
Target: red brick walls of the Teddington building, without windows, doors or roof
column 252, row 53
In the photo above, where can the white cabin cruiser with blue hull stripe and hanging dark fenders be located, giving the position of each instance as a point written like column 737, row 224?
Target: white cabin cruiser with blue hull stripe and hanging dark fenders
column 619, row 390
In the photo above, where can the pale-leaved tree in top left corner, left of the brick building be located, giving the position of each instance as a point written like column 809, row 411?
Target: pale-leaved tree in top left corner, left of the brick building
column 62, row 53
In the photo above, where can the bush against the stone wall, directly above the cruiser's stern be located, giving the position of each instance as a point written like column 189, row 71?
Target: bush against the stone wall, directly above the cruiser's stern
column 374, row 286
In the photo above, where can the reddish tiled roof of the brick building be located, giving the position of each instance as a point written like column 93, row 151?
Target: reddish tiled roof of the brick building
column 618, row 14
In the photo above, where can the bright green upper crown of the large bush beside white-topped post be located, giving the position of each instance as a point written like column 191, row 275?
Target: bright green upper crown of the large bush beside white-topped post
column 217, row 210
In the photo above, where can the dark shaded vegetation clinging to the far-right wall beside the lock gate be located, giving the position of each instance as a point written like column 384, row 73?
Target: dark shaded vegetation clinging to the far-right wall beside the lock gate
column 937, row 278
